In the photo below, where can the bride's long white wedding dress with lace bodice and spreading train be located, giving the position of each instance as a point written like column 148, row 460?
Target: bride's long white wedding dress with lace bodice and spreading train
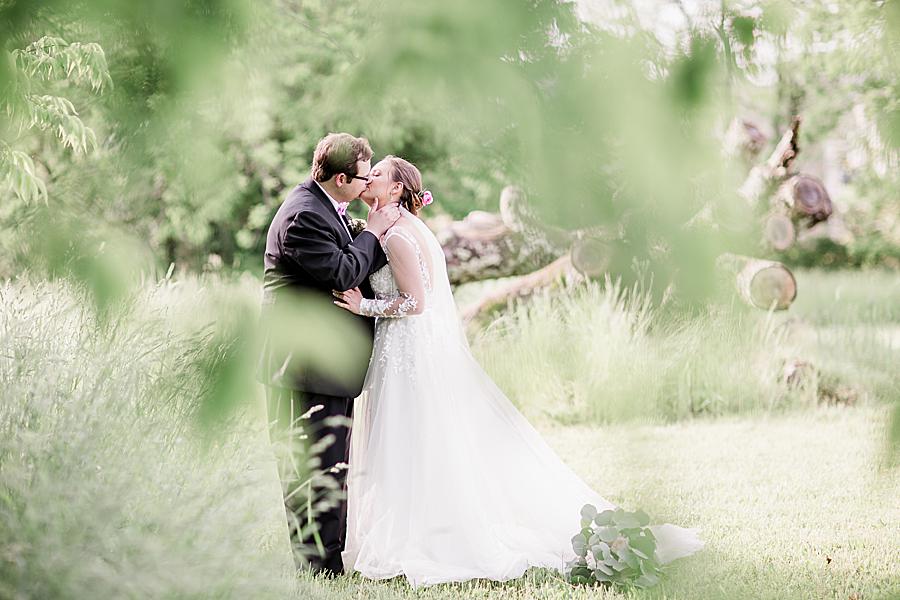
column 447, row 480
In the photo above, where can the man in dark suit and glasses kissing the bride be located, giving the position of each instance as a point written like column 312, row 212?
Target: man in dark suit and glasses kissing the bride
column 310, row 251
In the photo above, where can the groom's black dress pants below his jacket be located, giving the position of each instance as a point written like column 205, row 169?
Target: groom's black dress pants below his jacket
column 315, row 492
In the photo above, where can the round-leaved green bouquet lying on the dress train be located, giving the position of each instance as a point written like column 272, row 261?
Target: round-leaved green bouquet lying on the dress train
column 614, row 547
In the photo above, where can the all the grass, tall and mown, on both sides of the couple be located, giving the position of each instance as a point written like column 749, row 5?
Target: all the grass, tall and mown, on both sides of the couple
column 111, row 488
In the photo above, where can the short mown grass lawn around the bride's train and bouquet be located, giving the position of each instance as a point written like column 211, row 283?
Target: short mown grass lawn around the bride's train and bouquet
column 790, row 506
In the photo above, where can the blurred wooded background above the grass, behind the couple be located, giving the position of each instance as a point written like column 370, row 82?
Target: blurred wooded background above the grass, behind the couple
column 641, row 137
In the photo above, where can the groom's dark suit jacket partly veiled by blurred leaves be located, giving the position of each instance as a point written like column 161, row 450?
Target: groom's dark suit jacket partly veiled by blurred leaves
column 308, row 254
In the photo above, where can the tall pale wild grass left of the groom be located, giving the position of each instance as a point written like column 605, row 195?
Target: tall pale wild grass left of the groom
column 109, row 488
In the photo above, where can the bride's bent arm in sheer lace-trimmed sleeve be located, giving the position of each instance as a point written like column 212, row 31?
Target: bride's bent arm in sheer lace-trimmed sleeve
column 401, row 249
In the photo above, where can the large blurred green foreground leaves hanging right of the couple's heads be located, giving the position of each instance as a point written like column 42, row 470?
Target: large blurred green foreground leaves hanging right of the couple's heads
column 594, row 131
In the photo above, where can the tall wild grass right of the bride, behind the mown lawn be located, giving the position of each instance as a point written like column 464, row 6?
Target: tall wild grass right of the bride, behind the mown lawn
column 602, row 353
